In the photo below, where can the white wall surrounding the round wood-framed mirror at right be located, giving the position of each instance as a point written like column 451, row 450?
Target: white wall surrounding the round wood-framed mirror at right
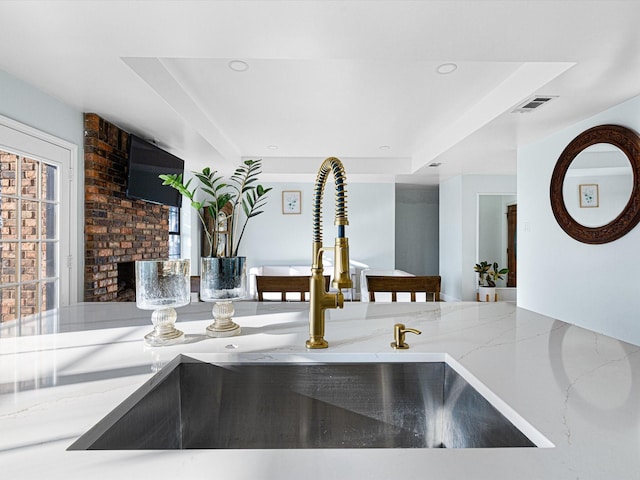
column 594, row 286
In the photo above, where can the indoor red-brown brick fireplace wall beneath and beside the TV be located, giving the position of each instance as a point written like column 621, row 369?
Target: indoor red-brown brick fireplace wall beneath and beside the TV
column 117, row 229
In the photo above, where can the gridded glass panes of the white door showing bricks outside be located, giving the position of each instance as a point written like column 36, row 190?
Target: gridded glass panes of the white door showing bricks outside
column 29, row 241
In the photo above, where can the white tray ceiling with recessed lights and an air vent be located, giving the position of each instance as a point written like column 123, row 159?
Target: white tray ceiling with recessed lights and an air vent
column 331, row 78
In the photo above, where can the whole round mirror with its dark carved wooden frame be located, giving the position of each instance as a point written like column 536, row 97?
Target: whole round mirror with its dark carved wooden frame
column 594, row 192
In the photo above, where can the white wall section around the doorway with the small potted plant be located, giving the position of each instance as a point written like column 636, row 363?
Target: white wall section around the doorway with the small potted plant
column 458, row 230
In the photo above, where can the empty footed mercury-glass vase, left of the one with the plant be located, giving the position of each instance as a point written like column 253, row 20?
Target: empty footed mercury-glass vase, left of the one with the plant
column 162, row 286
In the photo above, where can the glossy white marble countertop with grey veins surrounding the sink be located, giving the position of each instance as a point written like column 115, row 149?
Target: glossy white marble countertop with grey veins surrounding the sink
column 576, row 387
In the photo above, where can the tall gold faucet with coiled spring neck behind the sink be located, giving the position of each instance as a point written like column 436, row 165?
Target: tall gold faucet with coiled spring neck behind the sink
column 320, row 300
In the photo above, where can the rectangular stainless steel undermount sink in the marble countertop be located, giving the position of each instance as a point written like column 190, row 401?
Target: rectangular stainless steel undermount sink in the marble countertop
column 192, row 404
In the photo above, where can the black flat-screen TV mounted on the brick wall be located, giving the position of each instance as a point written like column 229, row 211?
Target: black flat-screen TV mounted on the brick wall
column 146, row 163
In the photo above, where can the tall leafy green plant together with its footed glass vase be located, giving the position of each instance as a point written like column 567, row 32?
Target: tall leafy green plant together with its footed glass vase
column 230, row 205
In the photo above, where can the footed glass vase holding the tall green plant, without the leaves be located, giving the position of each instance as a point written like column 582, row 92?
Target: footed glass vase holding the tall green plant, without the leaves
column 222, row 280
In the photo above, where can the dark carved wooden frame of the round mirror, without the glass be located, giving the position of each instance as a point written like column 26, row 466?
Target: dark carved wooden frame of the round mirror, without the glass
column 626, row 140
